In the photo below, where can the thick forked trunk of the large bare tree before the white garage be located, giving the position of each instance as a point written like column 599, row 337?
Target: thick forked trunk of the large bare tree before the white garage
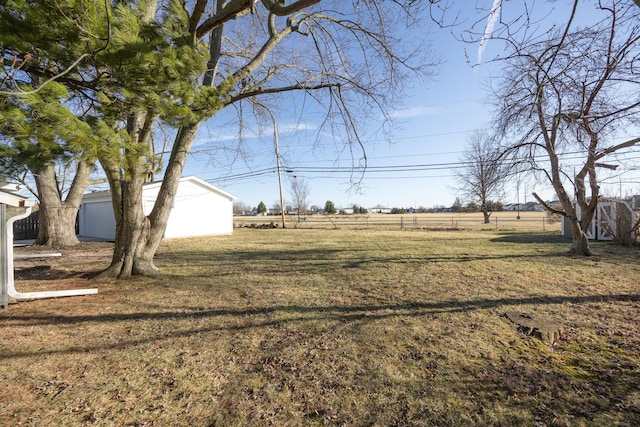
column 138, row 236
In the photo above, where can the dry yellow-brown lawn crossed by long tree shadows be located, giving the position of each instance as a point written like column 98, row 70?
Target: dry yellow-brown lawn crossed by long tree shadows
column 332, row 327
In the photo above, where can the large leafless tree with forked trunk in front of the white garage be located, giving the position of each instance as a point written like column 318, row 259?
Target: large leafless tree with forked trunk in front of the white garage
column 345, row 57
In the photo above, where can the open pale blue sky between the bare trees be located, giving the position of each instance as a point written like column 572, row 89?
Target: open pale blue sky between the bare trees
column 412, row 169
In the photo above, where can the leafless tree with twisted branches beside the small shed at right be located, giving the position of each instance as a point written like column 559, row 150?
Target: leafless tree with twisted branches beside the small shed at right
column 566, row 98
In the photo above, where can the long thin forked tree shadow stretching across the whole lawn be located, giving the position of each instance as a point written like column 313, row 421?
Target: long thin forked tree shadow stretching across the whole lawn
column 255, row 316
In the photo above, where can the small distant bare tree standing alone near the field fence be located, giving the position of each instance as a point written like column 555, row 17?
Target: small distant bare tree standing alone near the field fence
column 482, row 174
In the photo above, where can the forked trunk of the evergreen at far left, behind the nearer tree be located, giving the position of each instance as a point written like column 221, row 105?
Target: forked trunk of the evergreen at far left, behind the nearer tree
column 57, row 217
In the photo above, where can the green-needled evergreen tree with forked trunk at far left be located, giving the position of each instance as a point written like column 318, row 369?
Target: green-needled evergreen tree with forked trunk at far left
column 86, row 87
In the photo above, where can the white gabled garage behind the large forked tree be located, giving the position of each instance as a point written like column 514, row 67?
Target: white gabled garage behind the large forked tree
column 199, row 209
